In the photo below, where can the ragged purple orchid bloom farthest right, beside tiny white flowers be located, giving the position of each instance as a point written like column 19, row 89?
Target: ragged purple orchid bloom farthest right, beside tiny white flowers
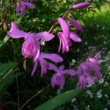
column 84, row 73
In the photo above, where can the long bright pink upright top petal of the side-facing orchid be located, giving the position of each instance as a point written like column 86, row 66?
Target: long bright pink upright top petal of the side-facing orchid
column 64, row 26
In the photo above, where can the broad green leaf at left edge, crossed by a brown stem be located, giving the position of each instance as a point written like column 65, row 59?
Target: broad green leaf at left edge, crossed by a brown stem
column 5, row 82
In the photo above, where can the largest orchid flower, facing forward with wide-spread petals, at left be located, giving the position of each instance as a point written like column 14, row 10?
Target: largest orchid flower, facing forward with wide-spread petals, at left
column 31, row 46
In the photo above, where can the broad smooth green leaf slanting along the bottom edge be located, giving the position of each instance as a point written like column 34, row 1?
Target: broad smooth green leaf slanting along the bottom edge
column 58, row 100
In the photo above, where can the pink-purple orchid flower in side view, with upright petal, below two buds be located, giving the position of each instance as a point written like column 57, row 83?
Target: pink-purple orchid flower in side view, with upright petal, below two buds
column 66, row 36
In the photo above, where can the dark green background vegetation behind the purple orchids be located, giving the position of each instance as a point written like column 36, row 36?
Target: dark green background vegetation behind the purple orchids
column 19, row 86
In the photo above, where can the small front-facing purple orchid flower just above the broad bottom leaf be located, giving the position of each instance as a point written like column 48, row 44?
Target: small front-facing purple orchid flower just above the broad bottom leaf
column 58, row 79
